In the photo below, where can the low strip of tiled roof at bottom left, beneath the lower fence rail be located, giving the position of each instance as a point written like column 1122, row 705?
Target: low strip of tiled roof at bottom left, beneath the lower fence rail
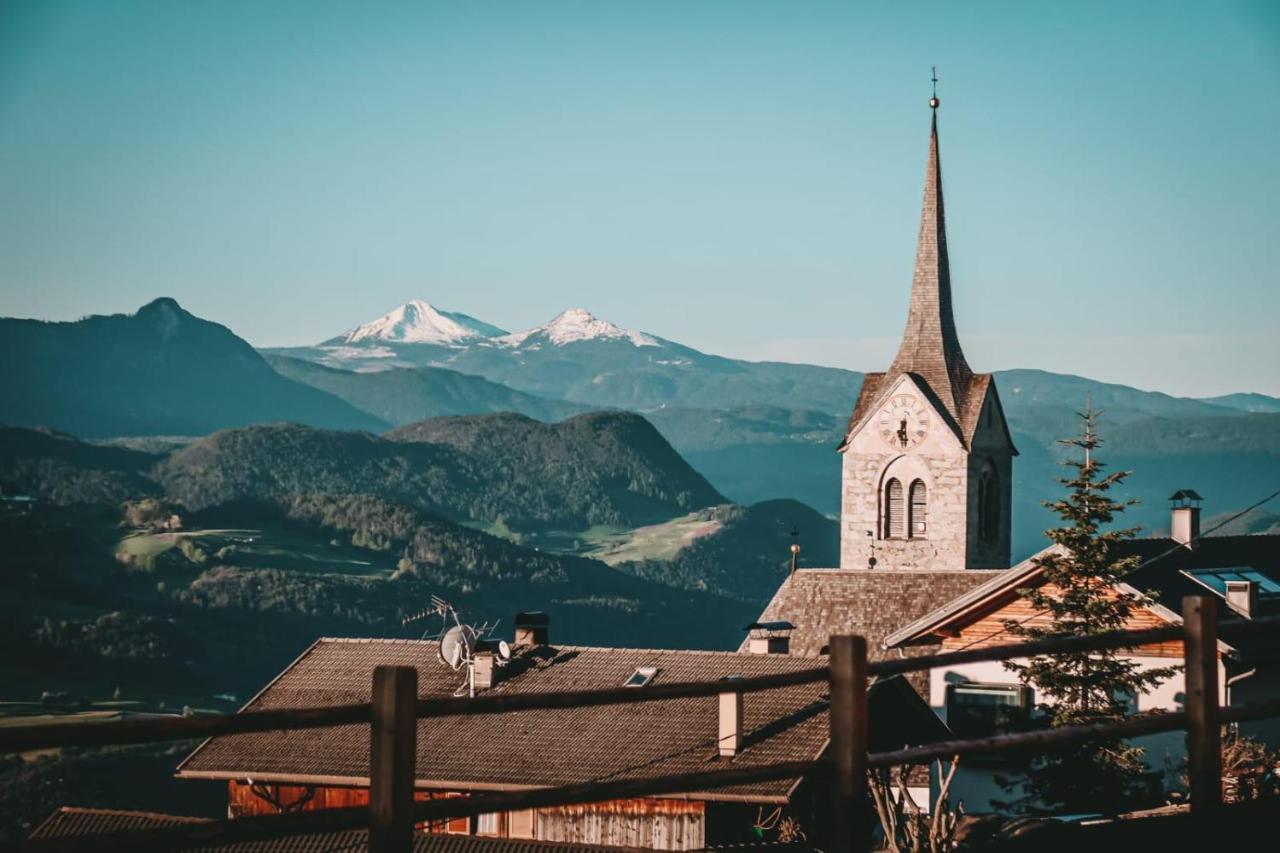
column 74, row 823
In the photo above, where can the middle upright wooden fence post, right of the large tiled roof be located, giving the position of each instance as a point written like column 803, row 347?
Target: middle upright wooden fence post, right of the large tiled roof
column 851, row 831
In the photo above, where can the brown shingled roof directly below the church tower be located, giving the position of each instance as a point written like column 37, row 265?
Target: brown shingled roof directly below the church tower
column 871, row 603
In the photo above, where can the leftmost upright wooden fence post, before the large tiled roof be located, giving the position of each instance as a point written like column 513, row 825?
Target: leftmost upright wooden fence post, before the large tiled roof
column 392, row 760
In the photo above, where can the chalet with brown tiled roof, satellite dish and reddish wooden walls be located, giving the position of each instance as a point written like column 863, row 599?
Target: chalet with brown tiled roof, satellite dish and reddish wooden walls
column 472, row 755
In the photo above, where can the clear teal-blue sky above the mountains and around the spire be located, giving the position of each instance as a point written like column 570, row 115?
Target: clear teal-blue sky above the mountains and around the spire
column 742, row 177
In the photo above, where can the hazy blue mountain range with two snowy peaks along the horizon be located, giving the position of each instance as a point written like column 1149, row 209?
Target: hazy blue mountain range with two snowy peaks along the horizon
column 756, row 431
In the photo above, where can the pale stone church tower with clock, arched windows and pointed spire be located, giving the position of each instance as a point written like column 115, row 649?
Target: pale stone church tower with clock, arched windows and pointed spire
column 927, row 459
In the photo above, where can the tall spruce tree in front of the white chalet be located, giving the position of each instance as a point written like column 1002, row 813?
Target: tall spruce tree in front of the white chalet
column 1080, row 596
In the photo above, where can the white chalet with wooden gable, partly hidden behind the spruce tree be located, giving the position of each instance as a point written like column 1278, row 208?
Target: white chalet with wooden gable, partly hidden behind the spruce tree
column 980, row 700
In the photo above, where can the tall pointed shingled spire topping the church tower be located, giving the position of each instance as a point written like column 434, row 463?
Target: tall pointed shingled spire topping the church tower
column 931, row 348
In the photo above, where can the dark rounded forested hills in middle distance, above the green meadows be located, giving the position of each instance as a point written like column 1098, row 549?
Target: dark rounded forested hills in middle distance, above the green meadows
column 607, row 468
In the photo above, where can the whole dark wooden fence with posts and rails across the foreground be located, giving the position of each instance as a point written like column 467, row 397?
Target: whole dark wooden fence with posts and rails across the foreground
column 395, row 709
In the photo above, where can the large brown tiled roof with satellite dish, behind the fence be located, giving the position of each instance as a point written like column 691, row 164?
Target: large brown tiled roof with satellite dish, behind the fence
column 529, row 749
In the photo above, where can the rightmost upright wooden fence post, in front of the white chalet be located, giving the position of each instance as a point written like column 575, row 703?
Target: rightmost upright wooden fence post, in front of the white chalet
column 1204, row 733
